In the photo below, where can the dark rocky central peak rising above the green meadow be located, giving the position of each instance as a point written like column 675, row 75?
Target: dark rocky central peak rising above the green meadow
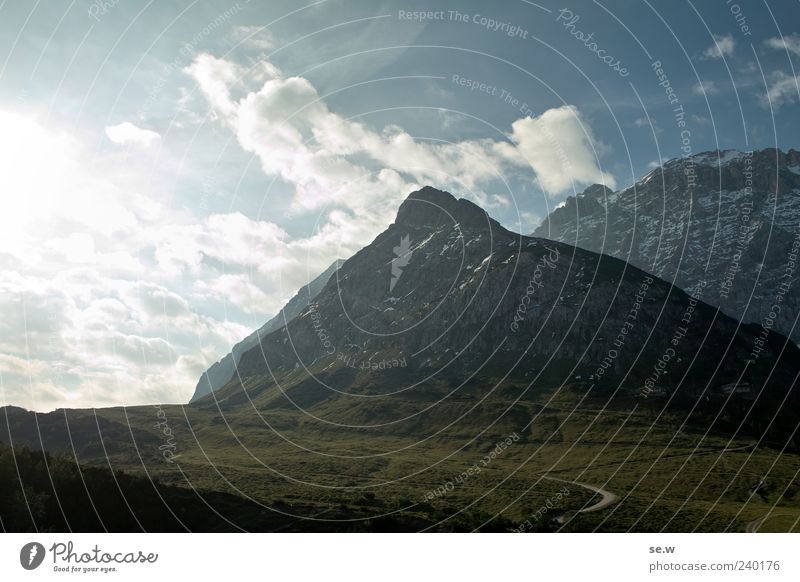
column 448, row 301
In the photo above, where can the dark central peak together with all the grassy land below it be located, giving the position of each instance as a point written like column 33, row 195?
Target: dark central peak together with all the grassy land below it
column 455, row 376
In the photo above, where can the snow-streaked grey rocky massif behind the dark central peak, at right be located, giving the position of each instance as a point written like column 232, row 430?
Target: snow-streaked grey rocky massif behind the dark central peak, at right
column 726, row 220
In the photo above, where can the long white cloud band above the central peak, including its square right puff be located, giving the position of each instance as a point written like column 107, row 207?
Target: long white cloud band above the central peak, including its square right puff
column 333, row 160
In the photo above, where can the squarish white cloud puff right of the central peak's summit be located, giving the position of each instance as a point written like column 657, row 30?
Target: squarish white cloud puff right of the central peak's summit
column 559, row 147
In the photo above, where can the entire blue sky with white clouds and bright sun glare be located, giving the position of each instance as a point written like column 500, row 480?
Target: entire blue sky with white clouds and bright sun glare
column 172, row 172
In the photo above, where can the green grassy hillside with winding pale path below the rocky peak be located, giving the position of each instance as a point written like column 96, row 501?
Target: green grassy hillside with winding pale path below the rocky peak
column 269, row 461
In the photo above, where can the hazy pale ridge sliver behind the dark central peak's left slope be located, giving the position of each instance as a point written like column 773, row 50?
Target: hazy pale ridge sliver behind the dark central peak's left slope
column 222, row 371
